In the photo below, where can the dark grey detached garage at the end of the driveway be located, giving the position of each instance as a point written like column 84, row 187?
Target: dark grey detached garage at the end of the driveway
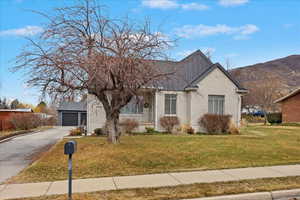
column 72, row 114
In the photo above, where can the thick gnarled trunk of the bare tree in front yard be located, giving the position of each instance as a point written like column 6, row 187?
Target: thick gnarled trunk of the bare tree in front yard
column 112, row 128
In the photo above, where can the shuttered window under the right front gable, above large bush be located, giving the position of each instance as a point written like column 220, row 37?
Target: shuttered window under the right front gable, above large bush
column 216, row 104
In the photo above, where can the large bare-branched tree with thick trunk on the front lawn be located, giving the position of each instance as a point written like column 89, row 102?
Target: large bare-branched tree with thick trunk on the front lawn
column 81, row 51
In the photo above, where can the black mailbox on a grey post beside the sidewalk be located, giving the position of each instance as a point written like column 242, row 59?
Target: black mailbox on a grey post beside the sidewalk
column 70, row 148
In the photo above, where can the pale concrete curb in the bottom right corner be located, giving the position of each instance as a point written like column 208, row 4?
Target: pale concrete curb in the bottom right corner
column 273, row 195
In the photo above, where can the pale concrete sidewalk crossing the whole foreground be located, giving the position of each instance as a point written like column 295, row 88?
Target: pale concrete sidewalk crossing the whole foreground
column 146, row 181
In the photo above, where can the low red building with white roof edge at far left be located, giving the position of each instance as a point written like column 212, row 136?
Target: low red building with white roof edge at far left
column 6, row 114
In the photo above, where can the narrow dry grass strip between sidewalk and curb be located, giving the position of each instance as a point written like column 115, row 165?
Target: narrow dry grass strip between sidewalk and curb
column 186, row 191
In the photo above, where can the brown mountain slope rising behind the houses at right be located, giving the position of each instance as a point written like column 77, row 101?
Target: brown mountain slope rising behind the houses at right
column 287, row 70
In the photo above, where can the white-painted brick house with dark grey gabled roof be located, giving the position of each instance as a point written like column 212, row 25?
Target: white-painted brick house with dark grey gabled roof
column 198, row 87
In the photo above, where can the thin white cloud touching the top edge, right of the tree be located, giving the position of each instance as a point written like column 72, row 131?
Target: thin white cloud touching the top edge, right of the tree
column 171, row 4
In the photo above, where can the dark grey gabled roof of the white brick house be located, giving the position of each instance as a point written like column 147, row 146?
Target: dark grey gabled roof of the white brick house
column 189, row 71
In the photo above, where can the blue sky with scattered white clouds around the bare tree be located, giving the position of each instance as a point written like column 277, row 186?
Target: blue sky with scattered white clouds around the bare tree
column 245, row 32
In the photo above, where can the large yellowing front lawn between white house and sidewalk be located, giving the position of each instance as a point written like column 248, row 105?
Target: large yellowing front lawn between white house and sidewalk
column 256, row 146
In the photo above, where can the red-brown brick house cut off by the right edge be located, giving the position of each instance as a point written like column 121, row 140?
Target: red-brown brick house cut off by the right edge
column 290, row 106
